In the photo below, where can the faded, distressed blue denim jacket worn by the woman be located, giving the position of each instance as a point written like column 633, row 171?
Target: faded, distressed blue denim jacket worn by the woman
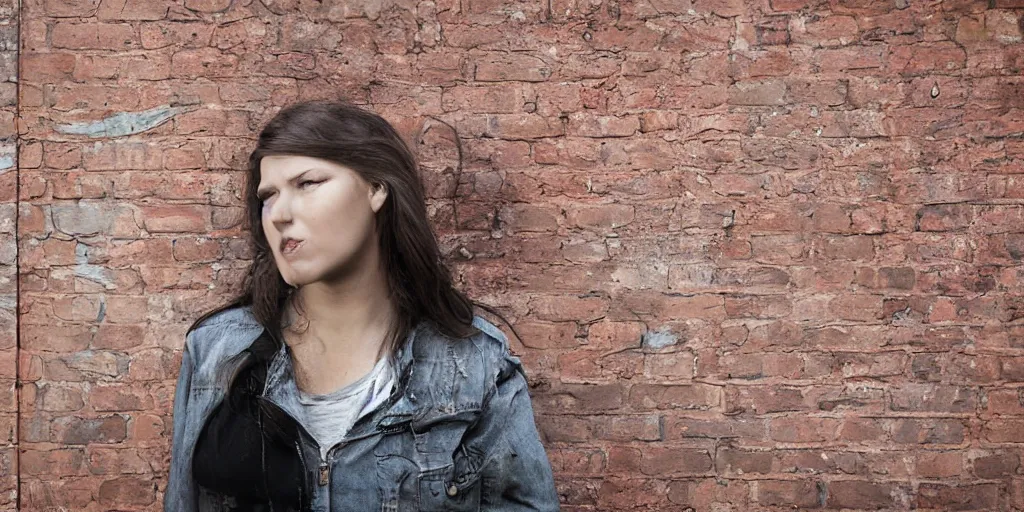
column 461, row 436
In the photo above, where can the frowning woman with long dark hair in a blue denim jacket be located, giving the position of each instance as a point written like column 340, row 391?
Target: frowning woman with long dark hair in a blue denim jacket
column 350, row 374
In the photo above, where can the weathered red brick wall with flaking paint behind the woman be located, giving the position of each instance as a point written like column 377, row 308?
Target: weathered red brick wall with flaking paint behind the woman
column 763, row 254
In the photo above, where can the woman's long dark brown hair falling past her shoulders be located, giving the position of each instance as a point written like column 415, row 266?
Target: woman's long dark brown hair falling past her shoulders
column 420, row 284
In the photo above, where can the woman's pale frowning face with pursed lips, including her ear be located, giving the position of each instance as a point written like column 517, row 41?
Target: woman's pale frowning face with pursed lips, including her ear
column 325, row 208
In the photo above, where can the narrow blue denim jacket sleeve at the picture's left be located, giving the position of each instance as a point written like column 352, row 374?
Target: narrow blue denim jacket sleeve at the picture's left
column 181, row 494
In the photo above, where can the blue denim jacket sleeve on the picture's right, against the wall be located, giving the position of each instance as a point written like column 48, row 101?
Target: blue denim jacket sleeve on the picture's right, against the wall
column 517, row 474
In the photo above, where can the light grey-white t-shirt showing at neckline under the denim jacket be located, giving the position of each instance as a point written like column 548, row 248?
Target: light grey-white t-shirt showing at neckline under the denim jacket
column 329, row 417
